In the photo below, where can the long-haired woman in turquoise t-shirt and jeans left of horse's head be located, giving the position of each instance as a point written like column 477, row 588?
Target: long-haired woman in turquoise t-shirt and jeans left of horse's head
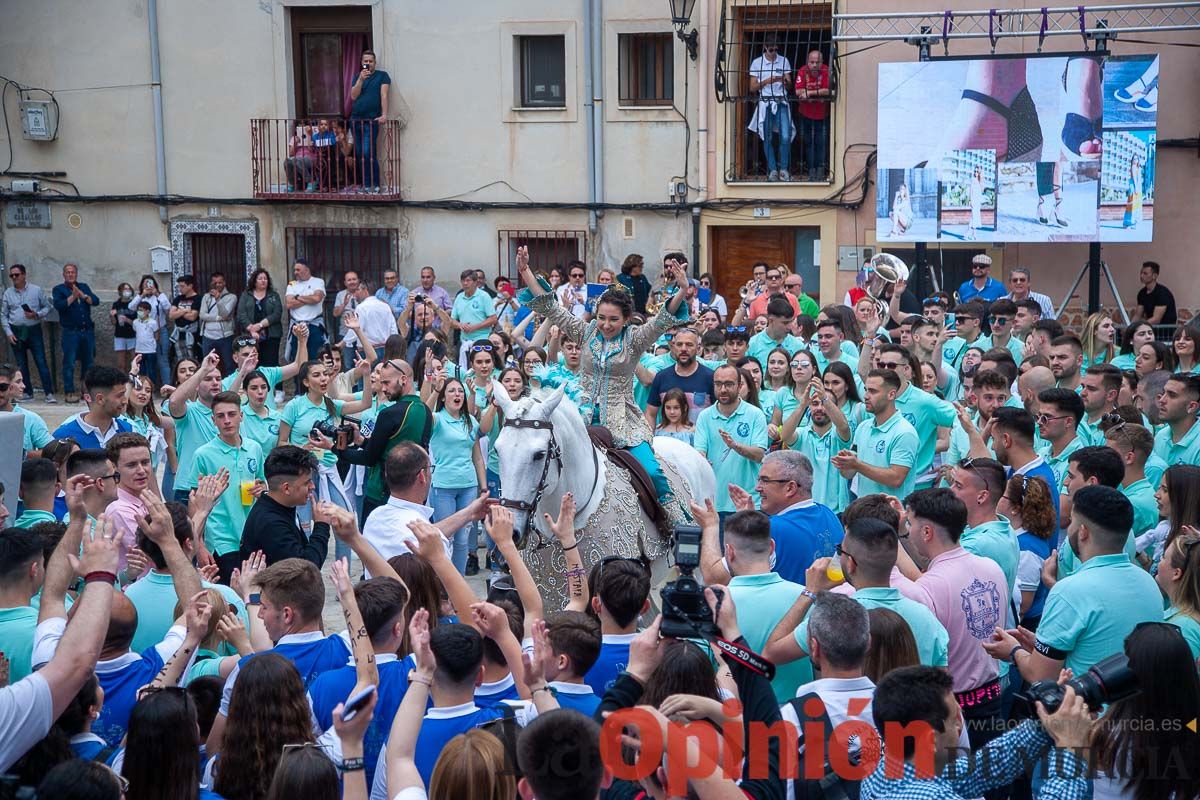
column 459, row 473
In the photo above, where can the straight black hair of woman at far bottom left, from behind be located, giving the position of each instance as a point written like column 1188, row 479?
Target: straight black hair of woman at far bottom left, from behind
column 161, row 748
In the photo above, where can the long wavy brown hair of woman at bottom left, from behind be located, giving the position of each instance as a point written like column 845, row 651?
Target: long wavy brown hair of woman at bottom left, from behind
column 269, row 709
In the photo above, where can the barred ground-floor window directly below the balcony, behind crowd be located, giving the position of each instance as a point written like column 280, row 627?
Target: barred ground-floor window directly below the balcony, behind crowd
column 333, row 252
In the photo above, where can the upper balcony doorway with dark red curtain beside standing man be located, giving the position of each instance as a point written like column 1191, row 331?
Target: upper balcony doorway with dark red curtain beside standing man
column 327, row 45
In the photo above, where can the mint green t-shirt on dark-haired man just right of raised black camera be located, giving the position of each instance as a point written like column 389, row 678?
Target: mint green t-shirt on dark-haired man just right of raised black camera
column 763, row 601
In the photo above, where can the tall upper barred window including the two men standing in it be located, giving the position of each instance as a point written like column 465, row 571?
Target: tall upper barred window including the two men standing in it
column 797, row 29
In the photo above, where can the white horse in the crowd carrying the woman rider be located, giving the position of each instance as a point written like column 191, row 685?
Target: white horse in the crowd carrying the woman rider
column 545, row 452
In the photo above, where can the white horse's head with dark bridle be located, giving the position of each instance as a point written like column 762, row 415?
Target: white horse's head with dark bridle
column 530, row 450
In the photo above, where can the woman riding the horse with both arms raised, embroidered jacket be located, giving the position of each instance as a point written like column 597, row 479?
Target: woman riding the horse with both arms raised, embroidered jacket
column 611, row 350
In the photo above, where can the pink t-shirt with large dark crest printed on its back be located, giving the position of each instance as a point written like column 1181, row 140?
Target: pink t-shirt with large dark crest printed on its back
column 969, row 597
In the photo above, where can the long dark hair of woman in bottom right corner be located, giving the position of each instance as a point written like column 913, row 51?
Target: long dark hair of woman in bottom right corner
column 1142, row 736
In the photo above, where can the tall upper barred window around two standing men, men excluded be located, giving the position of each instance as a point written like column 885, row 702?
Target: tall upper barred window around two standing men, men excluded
column 797, row 28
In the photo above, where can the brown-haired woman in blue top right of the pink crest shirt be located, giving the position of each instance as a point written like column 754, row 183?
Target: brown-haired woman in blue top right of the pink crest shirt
column 1030, row 510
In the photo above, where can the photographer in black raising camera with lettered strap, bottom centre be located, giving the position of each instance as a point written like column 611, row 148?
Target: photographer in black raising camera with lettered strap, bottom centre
column 754, row 690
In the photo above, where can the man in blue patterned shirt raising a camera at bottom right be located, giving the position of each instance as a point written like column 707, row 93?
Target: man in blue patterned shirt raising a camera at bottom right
column 922, row 697
